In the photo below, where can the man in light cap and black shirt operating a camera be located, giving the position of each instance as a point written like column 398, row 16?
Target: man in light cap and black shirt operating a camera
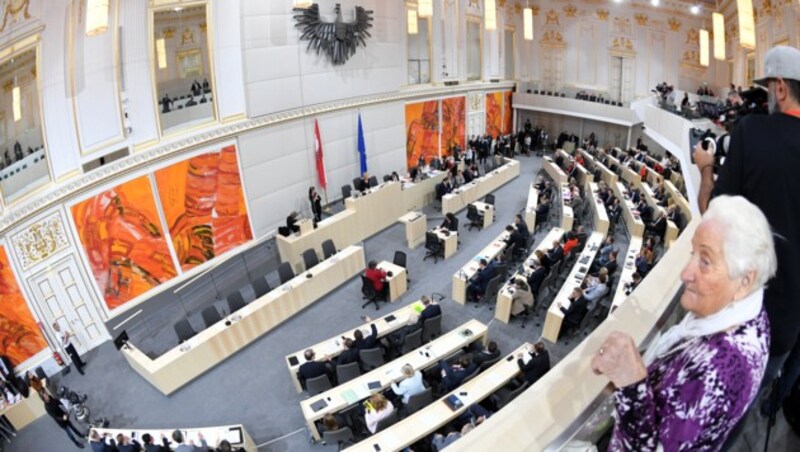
column 762, row 165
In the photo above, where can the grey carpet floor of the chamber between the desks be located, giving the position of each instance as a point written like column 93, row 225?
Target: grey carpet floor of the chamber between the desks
column 253, row 387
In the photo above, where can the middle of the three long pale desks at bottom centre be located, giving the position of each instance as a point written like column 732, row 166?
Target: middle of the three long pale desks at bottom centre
column 355, row 390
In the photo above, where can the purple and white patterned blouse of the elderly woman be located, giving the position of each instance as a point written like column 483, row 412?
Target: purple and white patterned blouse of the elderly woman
column 694, row 396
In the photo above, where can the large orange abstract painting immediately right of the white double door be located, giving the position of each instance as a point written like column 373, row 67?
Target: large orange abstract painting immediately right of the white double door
column 121, row 234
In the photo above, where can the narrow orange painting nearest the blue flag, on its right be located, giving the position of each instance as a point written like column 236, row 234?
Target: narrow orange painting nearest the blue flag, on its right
column 422, row 132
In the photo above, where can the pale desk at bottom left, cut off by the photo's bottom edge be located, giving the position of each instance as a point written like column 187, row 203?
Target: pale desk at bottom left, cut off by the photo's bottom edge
column 235, row 434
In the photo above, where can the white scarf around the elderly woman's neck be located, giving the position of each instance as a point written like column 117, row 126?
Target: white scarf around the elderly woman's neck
column 692, row 327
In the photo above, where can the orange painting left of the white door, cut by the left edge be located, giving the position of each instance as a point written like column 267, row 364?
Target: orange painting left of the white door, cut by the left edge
column 20, row 337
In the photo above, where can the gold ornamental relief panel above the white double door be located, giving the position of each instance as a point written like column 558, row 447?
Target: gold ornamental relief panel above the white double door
column 40, row 240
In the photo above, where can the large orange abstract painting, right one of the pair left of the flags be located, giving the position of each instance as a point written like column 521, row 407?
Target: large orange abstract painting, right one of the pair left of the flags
column 204, row 206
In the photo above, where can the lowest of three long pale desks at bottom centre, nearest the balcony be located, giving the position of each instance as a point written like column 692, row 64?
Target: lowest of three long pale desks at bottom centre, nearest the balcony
column 437, row 414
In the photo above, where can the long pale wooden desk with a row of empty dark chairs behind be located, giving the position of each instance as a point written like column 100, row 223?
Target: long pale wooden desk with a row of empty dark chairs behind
column 209, row 347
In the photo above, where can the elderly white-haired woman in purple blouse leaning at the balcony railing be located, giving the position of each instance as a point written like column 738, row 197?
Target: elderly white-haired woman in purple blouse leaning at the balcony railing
column 696, row 381
